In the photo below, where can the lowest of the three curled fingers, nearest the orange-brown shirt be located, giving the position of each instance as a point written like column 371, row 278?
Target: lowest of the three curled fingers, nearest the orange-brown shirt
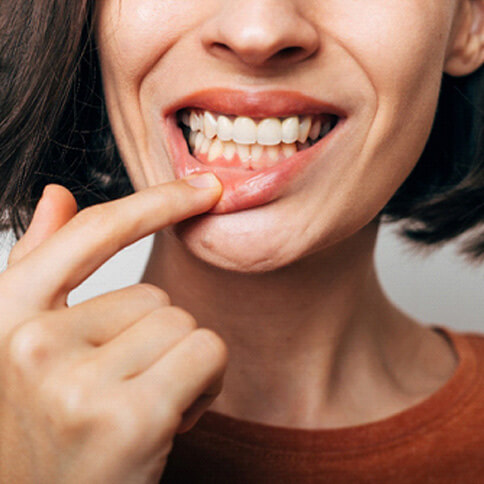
column 192, row 368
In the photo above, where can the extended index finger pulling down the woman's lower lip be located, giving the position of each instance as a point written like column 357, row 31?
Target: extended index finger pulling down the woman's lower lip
column 97, row 233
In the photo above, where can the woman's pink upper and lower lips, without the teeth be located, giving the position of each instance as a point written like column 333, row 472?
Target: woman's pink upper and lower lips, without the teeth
column 244, row 189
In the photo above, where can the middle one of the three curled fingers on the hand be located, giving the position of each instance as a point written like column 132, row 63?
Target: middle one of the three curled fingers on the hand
column 143, row 343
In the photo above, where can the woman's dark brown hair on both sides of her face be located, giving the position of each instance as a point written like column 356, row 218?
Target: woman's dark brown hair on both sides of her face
column 54, row 129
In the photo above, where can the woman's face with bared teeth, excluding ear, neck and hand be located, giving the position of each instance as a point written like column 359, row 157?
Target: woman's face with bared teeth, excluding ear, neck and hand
column 262, row 73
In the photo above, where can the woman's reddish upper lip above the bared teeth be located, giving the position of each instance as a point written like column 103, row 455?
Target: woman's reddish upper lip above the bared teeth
column 256, row 104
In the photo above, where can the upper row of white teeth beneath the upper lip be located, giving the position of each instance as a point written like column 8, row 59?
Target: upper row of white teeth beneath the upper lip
column 246, row 131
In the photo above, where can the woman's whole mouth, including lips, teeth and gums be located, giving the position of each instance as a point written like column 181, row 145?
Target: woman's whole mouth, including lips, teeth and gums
column 257, row 144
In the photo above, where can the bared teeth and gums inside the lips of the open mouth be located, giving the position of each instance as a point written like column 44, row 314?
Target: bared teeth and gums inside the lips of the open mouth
column 254, row 144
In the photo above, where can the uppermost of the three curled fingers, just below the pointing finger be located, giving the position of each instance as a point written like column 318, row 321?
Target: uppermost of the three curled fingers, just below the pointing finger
column 104, row 317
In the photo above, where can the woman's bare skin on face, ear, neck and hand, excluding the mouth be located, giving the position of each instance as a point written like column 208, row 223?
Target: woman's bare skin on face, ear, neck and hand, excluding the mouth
column 314, row 342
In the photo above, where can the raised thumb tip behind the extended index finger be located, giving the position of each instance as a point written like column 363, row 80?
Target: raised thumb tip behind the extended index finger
column 54, row 209
